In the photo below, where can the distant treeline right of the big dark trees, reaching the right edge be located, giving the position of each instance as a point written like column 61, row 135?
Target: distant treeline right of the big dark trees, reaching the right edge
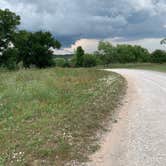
column 109, row 54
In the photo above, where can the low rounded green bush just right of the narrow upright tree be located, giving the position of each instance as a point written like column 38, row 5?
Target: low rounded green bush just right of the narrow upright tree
column 89, row 60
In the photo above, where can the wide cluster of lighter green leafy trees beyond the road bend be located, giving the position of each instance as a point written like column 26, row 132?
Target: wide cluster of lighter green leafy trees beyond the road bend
column 122, row 53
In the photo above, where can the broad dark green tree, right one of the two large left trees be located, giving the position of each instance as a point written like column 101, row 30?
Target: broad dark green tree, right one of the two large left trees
column 35, row 48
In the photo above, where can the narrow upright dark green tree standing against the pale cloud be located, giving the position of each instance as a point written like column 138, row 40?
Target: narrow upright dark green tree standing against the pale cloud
column 79, row 56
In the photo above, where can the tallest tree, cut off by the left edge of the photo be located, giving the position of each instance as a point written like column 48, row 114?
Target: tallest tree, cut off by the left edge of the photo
column 8, row 25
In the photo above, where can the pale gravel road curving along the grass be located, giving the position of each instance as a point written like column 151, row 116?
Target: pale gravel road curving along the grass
column 139, row 137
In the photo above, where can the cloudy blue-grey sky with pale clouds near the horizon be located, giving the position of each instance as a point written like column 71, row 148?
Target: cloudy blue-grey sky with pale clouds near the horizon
column 85, row 22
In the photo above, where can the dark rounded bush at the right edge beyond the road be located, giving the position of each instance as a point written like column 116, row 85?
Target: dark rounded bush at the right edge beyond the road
column 158, row 56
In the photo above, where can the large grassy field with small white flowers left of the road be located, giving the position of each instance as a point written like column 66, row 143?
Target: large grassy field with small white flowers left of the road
column 51, row 116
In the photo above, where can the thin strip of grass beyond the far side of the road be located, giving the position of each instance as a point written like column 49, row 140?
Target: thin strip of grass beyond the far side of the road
column 146, row 66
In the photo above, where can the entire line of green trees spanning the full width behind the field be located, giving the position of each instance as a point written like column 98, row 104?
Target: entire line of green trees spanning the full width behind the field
column 28, row 49
